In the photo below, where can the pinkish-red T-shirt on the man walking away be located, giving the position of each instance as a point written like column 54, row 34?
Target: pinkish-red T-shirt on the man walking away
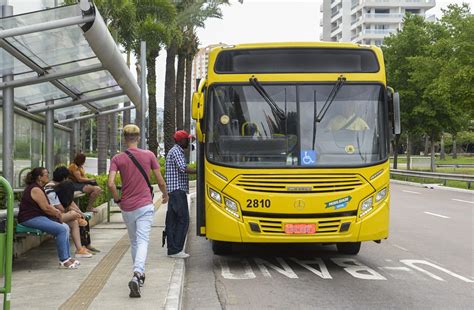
column 135, row 191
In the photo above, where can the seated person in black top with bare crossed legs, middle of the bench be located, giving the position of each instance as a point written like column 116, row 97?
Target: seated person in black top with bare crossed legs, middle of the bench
column 61, row 194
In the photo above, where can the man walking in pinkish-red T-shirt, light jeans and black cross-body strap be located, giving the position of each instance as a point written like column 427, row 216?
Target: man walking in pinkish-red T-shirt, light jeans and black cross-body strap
column 136, row 202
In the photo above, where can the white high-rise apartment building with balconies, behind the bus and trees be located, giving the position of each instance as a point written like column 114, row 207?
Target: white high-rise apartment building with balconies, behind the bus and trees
column 367, row 21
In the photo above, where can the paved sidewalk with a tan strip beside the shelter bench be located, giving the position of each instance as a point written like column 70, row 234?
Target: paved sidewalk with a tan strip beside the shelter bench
column 101, row 282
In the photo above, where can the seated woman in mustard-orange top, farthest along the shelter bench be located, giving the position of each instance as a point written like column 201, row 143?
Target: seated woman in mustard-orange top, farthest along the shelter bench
column 81, row 182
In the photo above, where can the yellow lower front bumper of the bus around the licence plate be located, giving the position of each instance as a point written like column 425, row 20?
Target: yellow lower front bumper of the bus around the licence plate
column 222, row 226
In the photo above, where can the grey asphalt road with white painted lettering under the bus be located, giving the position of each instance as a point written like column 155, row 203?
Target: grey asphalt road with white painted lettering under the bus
column 427, row 263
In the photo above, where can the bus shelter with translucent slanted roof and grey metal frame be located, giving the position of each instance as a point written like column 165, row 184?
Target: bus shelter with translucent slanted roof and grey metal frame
column 59, row 65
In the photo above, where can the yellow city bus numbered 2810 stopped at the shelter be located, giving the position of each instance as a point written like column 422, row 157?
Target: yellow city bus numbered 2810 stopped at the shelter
column 293, row 145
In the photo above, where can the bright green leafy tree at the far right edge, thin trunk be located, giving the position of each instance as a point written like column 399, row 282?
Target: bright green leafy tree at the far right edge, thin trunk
column 444, row 74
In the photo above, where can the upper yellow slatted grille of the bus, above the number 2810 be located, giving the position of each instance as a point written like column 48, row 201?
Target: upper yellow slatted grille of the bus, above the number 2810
column 301, row 183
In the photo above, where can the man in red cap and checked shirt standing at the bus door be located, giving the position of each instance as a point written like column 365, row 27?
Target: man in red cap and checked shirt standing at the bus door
column 177, row 216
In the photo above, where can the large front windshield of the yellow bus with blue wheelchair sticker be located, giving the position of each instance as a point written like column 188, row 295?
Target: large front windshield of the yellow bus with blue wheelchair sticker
column 244, row 130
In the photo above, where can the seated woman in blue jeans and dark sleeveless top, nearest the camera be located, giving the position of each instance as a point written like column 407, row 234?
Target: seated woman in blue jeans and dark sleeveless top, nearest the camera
column 36, row 212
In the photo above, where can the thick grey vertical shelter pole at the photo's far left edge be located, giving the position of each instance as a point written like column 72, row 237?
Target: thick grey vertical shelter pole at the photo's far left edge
column 8, row 114
